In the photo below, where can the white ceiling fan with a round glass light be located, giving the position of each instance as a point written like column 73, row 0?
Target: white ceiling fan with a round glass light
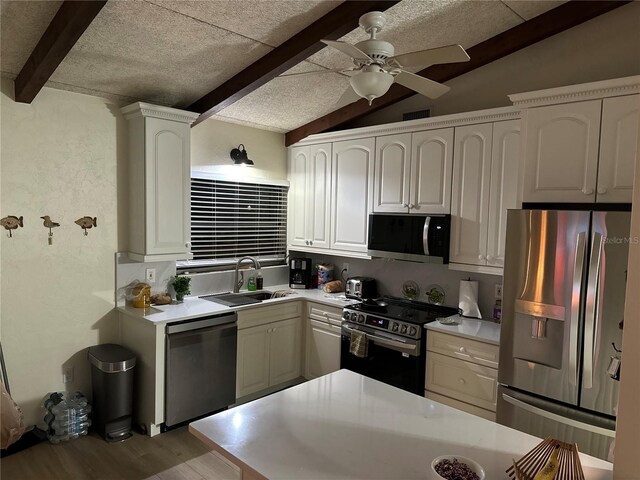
column 376, row 67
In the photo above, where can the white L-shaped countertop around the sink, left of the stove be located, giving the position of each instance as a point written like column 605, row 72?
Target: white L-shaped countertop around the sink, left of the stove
column 194, row 307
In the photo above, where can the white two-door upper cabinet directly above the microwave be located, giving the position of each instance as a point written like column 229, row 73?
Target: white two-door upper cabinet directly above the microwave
column 413, row 172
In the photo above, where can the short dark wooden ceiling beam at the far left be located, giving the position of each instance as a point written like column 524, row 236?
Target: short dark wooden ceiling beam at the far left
column 68, row 25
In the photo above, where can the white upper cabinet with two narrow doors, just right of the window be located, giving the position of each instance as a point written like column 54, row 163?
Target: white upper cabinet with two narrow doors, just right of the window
column 310, row 195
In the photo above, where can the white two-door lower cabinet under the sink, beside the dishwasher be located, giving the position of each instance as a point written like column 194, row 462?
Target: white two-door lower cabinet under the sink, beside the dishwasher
column 269, row 347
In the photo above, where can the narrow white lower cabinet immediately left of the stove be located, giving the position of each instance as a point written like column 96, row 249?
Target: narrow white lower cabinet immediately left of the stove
column 322, row 340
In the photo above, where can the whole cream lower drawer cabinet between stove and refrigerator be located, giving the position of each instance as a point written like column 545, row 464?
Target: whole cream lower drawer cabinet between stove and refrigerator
column 462, row 373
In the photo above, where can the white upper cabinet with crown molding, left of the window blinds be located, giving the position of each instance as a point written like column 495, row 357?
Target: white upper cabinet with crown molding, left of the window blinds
column 159, row 182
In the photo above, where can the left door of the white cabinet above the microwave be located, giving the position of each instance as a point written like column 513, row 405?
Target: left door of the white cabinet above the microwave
column 392, row 173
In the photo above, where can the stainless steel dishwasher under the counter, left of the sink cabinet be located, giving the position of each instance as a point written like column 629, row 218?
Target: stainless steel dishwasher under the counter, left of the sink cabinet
column 200, row 367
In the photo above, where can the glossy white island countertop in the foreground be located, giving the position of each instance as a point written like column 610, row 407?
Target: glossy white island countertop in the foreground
column 348, row 426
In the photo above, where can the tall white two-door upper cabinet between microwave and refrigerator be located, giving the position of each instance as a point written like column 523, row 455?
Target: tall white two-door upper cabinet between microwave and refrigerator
column 485, row 185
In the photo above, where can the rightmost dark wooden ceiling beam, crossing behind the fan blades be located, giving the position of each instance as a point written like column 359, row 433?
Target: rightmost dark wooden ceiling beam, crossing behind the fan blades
column 543, row 26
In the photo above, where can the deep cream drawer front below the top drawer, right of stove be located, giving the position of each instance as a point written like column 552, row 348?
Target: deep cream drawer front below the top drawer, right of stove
column 465, row 381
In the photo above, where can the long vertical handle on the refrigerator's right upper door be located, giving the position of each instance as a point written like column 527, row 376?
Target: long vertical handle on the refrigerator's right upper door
column 591, row 314
